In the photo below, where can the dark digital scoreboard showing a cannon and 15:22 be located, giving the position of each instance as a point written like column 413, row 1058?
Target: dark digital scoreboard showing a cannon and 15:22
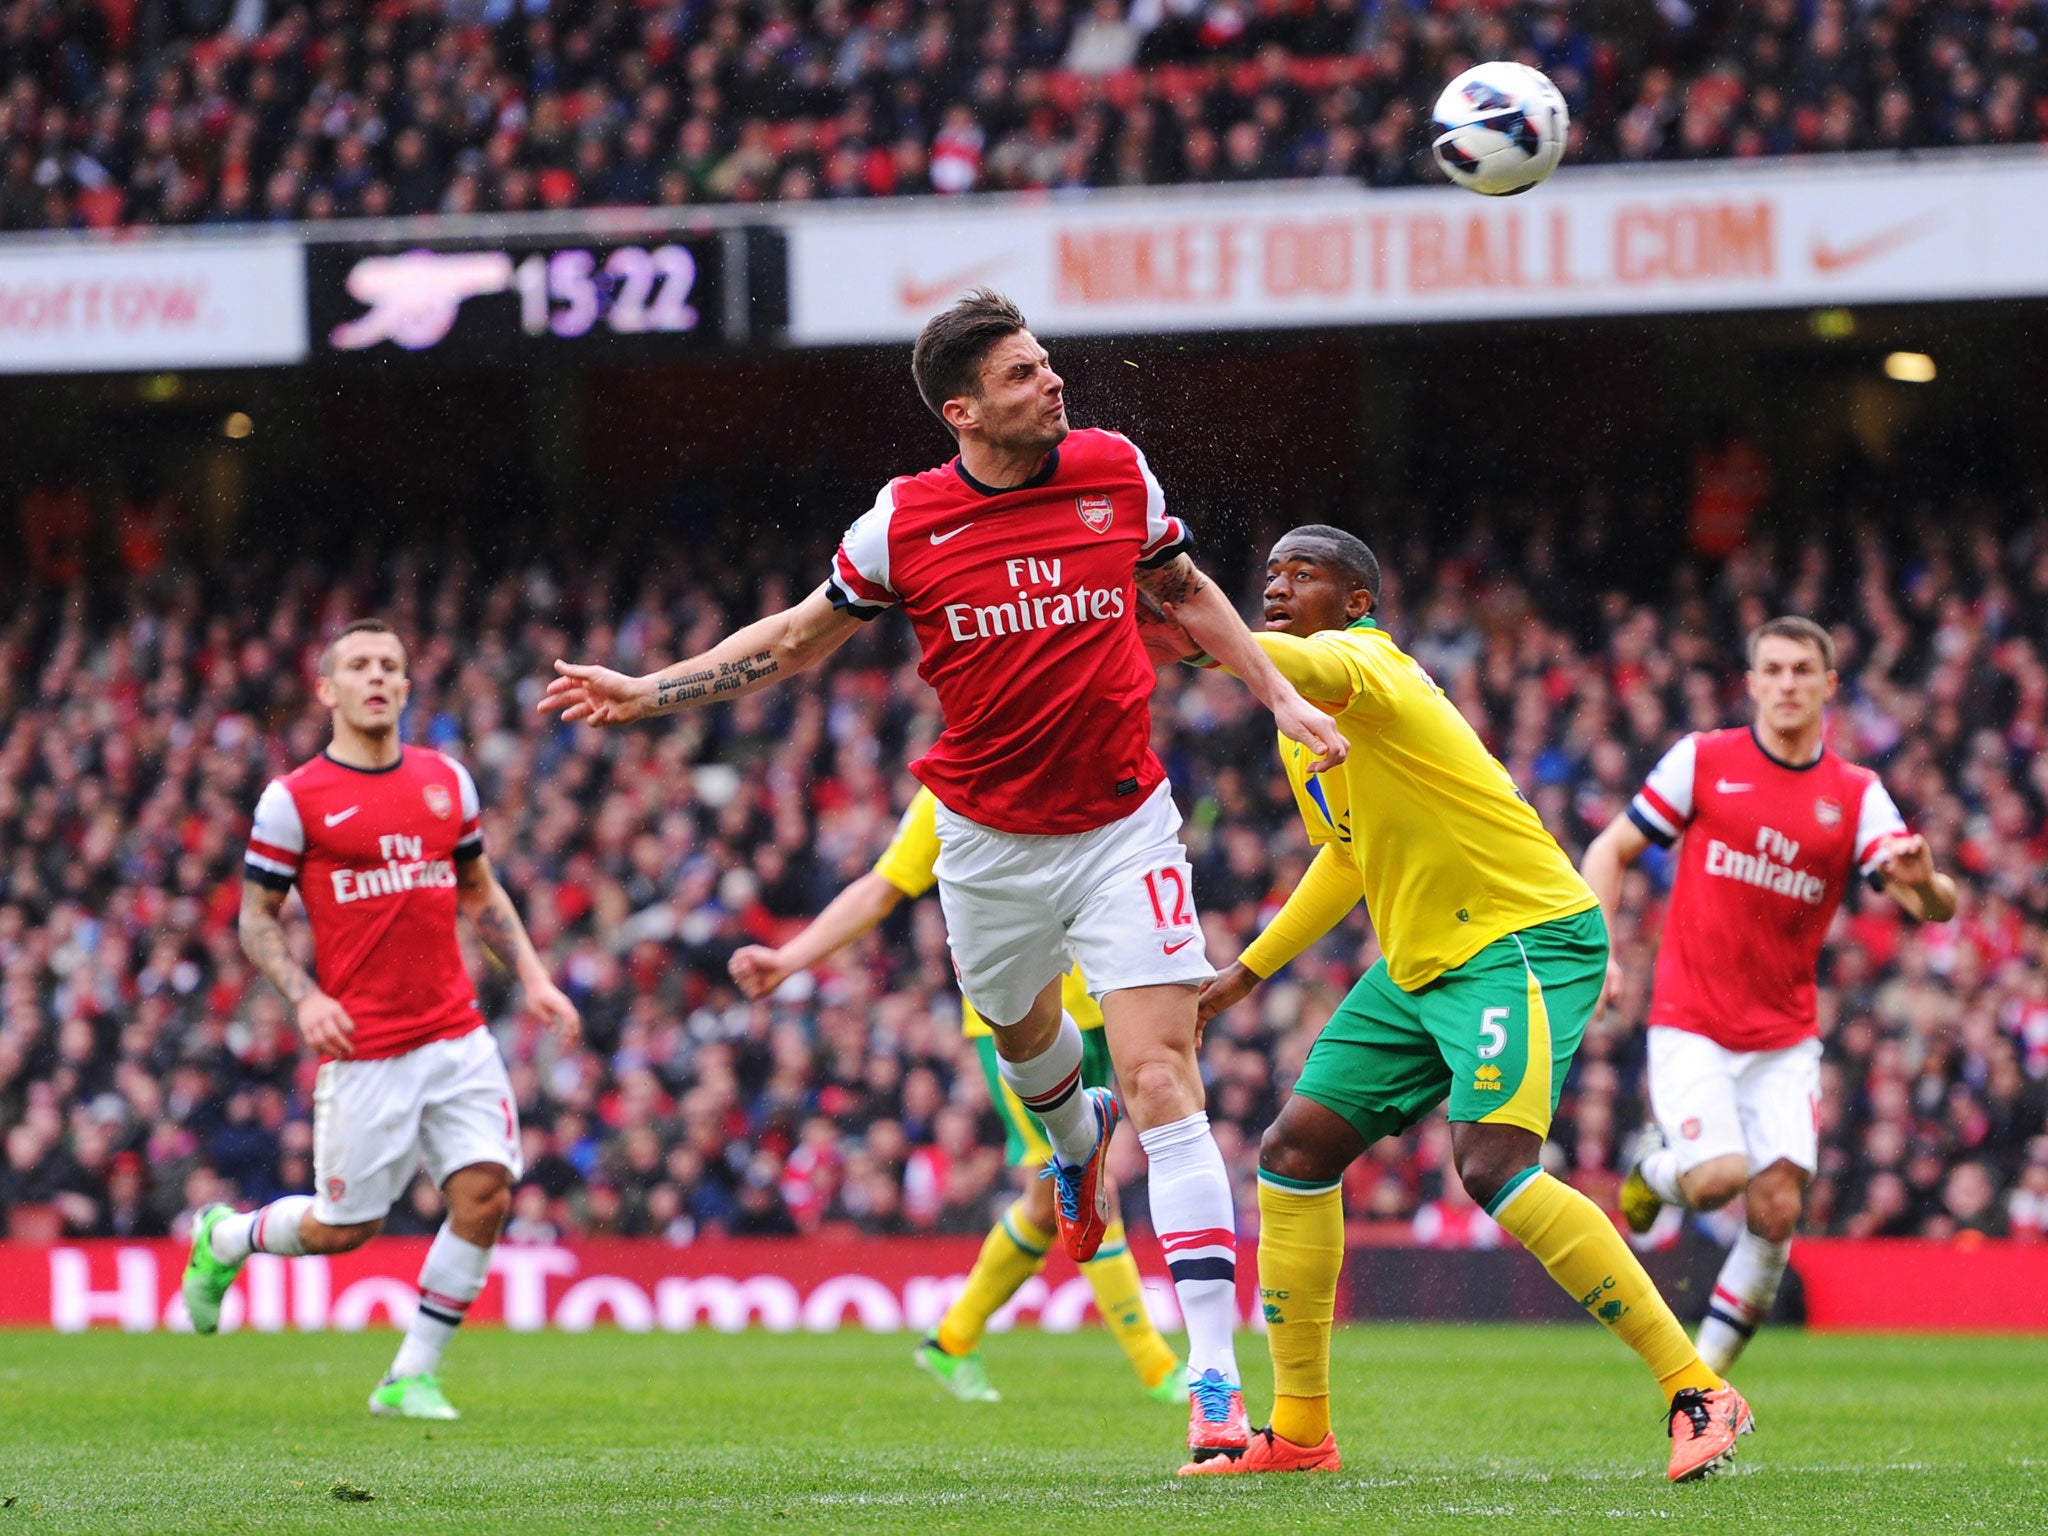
column 534, row 298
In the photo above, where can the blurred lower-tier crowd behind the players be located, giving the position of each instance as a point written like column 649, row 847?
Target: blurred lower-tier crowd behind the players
column 144, row 1070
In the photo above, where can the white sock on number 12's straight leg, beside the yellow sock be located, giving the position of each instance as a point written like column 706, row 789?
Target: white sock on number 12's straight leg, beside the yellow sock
column 1197, row 1224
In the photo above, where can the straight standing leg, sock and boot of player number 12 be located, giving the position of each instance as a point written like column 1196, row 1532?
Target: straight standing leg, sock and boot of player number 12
column 1152, row 1037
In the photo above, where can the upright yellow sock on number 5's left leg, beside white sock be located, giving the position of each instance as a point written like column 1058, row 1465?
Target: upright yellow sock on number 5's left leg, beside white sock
column 1302, row 1254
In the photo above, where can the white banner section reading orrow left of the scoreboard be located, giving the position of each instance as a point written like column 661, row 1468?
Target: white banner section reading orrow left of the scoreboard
column 77, row 308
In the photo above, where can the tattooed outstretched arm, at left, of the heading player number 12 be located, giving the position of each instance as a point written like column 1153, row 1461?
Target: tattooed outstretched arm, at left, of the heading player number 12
column 744, row 663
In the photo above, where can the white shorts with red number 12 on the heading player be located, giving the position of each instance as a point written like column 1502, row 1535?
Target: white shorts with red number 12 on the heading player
column 1023, row 910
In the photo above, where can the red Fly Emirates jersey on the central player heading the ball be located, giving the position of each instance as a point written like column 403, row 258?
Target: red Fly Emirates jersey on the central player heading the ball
column 1025, row 605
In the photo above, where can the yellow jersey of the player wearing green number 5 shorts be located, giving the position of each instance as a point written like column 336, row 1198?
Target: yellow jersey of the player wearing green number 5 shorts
column 1420, row 818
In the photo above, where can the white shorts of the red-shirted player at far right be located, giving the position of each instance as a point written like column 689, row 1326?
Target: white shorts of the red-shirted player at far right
column 1717, row 1103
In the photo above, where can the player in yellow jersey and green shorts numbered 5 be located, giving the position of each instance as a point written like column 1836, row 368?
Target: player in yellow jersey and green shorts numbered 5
column 1494, row 962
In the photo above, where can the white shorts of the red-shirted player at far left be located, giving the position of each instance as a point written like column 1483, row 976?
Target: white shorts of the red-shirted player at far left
column 447, row 1105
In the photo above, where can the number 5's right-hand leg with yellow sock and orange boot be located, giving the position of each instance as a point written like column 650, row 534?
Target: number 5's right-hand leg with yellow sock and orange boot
column 1576, row 1242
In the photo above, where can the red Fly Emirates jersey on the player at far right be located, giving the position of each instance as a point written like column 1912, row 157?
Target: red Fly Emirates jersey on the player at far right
column 1768, row 853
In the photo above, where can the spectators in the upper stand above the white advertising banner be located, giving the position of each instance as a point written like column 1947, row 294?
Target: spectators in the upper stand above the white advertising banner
column 232, row 112
